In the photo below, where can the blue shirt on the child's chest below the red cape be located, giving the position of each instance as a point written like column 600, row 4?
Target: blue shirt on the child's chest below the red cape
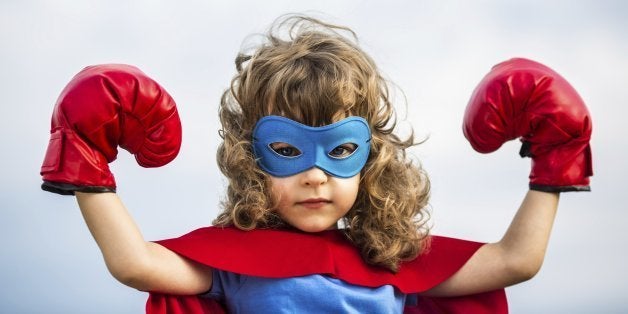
column 307, row 294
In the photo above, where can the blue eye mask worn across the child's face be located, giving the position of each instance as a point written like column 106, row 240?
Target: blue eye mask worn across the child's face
column 329, row 147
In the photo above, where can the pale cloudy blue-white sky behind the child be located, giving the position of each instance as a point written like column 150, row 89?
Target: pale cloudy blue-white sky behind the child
column 436, row 51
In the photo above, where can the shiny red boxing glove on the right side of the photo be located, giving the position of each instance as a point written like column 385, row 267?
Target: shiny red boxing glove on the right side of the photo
column 524, row 99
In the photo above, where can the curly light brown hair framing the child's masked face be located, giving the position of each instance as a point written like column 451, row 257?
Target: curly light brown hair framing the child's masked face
column 315, row 75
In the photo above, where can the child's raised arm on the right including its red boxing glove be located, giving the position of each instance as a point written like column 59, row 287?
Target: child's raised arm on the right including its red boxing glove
column 523, row 99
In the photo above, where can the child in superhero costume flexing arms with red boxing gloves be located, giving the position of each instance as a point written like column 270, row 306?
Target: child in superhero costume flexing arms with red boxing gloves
column 324, row 212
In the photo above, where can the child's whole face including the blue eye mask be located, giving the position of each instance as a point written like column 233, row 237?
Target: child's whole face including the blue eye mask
column 314, row 171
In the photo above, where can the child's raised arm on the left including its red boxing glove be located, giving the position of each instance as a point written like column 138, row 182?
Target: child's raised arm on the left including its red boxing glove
column 103, row 107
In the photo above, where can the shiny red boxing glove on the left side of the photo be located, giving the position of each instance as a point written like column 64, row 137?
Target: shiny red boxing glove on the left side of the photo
column 102, row 107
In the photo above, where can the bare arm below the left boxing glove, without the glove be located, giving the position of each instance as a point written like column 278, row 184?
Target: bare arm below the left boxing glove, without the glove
column 136, row 263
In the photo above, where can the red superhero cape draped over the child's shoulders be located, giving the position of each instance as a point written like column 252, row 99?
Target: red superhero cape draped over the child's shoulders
column 287, row 253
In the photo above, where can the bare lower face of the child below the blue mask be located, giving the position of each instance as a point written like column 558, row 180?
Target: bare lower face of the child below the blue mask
column 313, row 200
